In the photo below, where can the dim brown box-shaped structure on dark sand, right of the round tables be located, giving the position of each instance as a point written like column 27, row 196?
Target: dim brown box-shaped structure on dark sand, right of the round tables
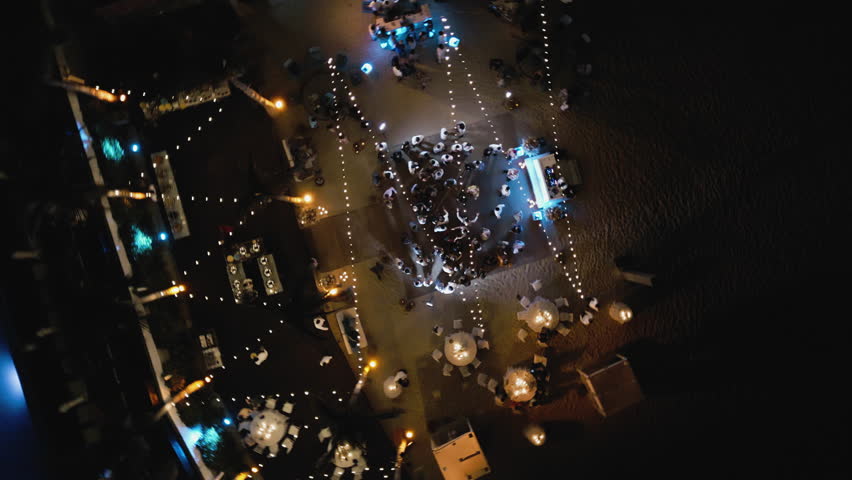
column 612, row 385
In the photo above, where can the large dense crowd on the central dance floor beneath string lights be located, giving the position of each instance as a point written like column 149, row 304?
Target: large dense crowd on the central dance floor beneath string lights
column 438, row 178
